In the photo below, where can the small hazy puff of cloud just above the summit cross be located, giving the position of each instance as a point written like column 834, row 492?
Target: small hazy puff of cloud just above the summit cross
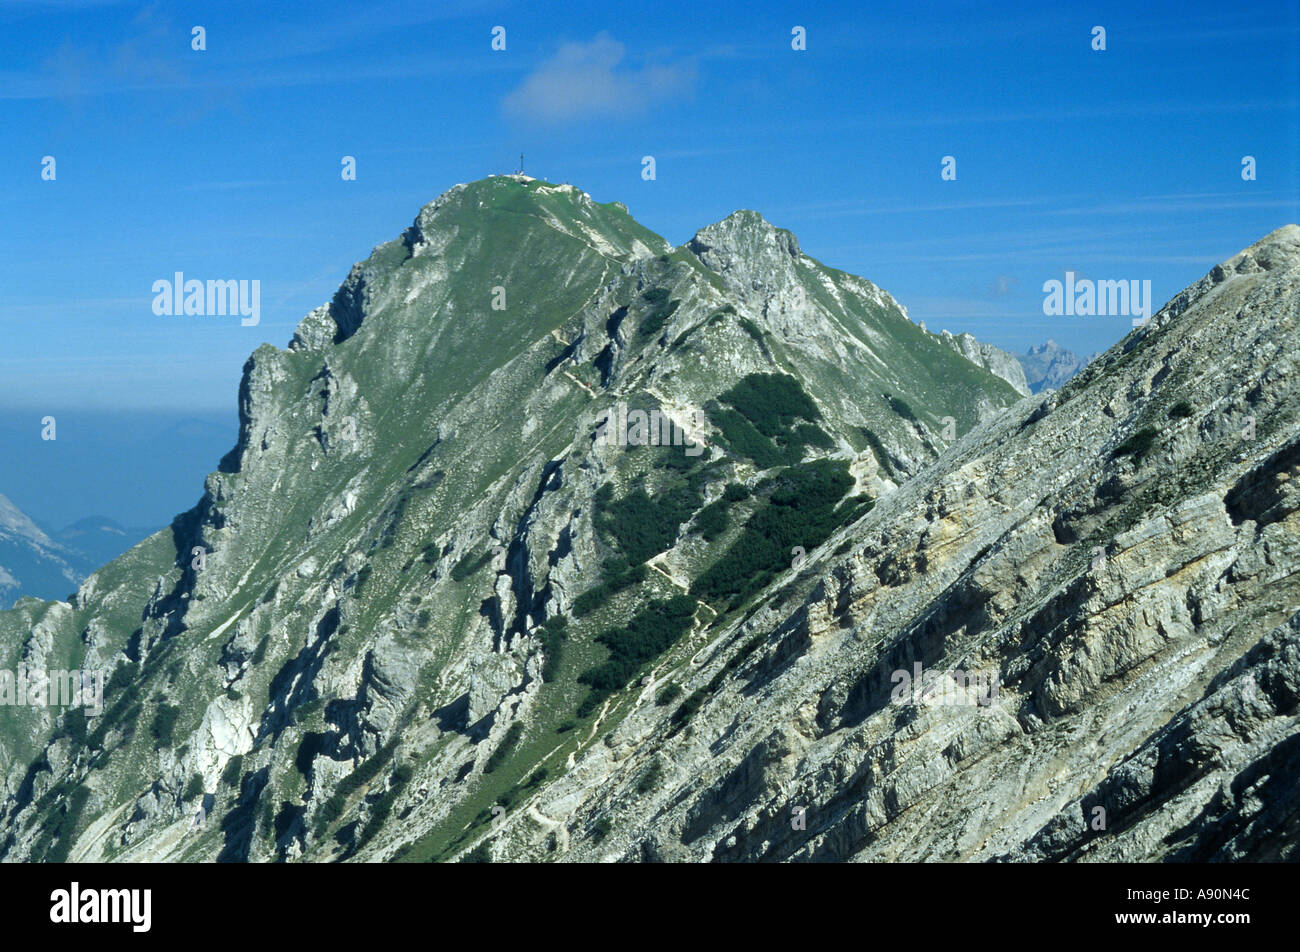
column 591, row 81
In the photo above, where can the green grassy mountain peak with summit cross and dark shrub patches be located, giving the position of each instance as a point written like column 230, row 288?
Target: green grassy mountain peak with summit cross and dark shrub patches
column 424, row 585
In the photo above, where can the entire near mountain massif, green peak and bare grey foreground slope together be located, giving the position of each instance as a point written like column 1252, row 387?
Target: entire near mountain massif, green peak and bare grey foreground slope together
column 426, row 583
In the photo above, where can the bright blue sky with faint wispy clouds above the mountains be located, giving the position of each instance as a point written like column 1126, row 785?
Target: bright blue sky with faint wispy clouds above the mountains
column 226, row 163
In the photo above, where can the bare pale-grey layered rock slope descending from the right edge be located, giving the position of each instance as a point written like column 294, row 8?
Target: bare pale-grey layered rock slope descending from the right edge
column 1141, row 609
